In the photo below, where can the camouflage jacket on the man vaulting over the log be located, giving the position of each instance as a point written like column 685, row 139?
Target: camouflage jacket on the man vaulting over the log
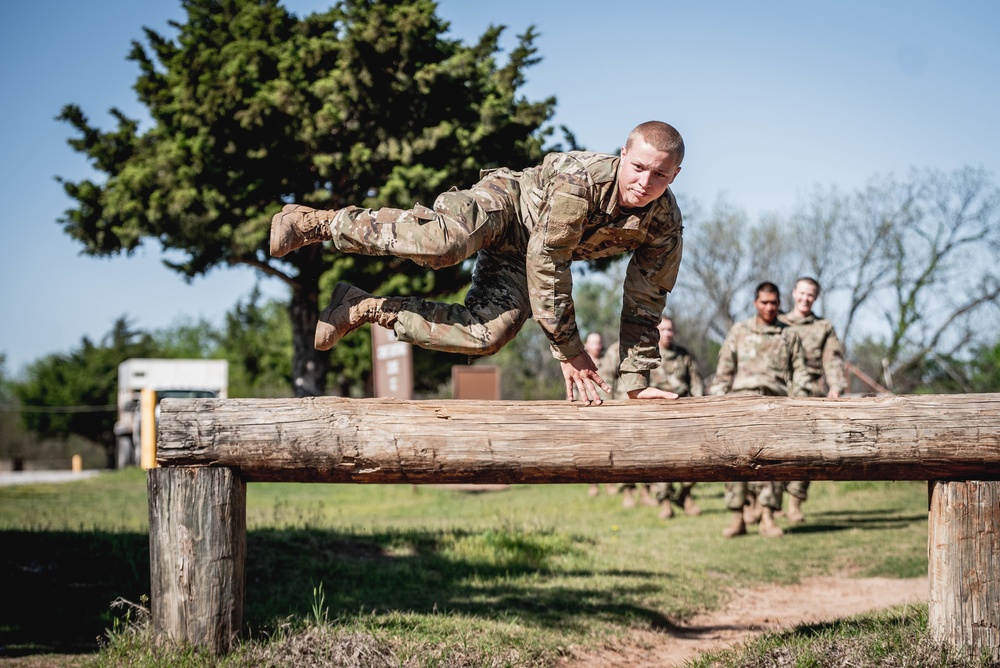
column 569, row 207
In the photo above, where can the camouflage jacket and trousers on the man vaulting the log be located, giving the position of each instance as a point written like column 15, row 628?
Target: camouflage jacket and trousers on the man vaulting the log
column 527, row 228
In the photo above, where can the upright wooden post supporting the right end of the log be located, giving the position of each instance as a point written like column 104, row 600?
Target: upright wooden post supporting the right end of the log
column 964, row 565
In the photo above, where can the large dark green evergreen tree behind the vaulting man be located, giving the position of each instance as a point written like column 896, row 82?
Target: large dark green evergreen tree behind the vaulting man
column 367, row 103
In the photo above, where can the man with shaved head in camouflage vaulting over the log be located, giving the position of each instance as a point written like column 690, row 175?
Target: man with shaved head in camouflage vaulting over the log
column 526, row 228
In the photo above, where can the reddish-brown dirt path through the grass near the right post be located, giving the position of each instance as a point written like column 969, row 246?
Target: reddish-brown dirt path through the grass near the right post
column 753, row 611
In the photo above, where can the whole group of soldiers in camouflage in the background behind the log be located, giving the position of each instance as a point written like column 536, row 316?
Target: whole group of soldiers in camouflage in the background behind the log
column 769, row 354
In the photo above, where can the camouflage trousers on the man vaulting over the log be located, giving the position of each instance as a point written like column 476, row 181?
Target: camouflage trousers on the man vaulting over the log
column 483, row 220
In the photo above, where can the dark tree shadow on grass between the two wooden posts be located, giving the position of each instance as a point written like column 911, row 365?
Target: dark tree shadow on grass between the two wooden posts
column 416, row 571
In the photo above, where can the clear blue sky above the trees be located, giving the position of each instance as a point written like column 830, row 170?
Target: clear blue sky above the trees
column 772, row 98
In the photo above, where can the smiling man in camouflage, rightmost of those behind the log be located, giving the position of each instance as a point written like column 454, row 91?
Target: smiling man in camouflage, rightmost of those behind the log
column 824, row 358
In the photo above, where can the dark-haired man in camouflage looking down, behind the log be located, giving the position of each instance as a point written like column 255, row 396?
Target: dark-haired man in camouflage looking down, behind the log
column 764, row 356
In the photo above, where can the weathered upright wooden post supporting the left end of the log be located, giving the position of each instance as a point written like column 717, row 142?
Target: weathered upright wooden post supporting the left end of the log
column 197, row 555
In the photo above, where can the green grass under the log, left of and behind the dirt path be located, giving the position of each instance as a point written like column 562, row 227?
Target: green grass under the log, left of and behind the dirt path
column 429, row 576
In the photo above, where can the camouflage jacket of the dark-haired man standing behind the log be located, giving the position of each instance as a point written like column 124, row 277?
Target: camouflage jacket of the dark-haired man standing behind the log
column 762, row 359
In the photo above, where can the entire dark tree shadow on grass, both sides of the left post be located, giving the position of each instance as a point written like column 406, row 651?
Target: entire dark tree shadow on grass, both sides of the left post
column 58, row 586
